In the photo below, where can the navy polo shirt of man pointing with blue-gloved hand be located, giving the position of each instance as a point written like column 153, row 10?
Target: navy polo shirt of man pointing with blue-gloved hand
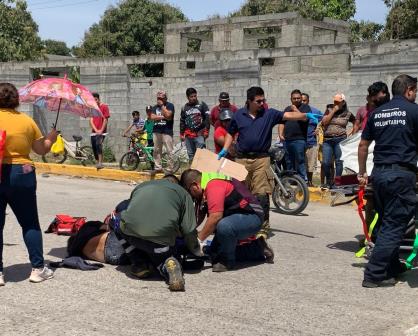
column 254, row 134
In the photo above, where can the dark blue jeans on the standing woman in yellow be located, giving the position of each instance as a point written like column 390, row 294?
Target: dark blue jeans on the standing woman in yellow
column 18, row 190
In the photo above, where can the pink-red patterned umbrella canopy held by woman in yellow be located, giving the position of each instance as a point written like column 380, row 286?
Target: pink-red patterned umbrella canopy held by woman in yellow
column 60, row 94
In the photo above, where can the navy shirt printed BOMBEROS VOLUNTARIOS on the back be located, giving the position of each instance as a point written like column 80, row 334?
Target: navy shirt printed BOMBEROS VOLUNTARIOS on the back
column 394, row 128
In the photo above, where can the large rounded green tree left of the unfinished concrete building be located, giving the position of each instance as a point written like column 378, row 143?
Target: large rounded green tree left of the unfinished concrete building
column 134, row 27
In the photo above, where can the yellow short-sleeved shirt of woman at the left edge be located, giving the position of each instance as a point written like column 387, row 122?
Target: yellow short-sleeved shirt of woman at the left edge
column 21, row 132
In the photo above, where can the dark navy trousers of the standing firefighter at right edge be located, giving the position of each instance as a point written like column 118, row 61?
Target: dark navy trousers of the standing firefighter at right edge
column 395, row 202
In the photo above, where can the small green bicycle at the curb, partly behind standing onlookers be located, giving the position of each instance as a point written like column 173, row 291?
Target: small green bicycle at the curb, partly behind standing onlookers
column 141, row 156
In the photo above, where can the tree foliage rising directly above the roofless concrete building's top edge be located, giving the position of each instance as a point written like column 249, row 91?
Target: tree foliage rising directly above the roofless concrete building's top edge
column 314, row 9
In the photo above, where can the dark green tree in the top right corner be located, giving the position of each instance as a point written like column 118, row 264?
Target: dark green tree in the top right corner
column 401, row 22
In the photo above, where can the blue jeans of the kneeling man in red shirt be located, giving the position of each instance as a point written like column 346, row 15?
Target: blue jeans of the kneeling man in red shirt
column 228, row 231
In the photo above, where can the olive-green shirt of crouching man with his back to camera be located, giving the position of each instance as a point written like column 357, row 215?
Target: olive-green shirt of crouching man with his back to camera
column 160, row 211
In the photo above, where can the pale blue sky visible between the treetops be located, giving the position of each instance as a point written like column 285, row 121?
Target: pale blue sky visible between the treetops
column 67, row 20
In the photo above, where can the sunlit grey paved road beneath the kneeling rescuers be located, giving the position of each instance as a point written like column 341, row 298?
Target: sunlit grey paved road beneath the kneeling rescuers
column 314, row 288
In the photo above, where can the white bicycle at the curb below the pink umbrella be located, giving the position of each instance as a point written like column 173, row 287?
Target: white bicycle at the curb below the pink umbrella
column 74, row 151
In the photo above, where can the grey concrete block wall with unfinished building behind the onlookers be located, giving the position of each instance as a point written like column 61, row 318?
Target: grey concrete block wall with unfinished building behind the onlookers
column 301, row 61
